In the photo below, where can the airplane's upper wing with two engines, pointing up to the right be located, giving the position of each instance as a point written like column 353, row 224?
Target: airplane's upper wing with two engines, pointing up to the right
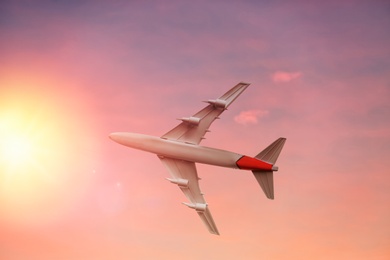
column 193, row 129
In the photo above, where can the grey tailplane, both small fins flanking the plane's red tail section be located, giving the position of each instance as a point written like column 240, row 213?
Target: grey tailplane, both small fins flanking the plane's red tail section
column 270, row 155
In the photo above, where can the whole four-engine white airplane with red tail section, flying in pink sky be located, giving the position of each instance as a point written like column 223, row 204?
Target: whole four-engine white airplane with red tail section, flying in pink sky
column 179, row 150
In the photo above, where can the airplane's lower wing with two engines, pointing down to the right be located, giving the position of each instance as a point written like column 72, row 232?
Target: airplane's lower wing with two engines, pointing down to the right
column 183, row 173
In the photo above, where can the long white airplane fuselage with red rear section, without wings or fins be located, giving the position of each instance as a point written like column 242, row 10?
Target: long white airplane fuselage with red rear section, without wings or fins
column 188, row 152
